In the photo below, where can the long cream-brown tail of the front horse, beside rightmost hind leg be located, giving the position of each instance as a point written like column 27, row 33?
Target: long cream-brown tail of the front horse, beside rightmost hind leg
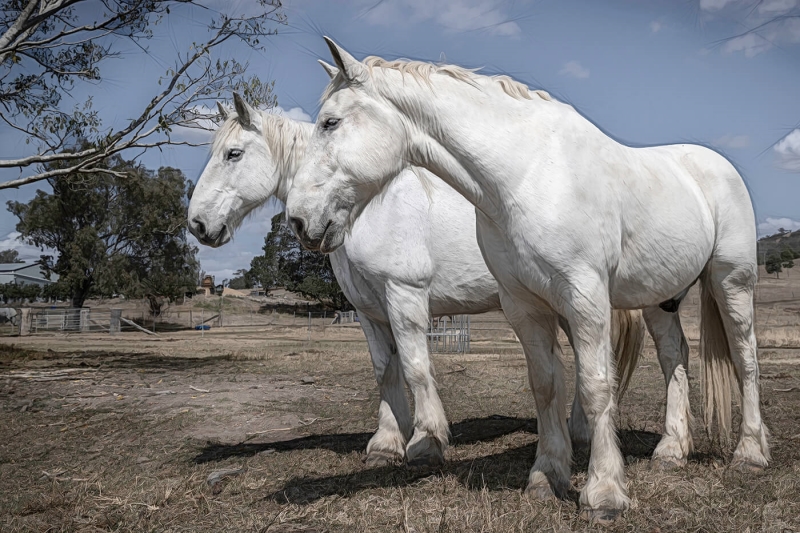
column 718, row 369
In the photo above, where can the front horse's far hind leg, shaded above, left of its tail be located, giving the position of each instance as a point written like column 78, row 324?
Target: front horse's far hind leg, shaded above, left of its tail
column 673, row 355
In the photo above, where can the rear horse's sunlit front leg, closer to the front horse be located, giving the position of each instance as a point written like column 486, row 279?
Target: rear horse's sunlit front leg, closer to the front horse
column 408, row 313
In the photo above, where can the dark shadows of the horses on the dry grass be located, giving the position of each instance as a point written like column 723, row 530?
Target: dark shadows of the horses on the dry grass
column 507, row 469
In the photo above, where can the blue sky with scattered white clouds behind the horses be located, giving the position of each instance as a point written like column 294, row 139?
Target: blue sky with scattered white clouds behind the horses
column 646, row 72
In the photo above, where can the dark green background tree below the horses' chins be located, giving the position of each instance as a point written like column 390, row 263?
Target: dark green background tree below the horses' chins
column 286, row 263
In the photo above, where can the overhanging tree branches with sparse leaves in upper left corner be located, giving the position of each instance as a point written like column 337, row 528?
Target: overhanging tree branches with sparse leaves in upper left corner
column 48, row 47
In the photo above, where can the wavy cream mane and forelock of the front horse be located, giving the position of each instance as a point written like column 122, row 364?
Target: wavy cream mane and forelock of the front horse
column 424, row 71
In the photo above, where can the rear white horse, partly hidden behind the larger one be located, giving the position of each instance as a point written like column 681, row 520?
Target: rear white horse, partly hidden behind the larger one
column 410, row 255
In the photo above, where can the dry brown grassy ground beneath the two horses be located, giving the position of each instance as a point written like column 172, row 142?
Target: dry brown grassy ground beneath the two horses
column 121, row 433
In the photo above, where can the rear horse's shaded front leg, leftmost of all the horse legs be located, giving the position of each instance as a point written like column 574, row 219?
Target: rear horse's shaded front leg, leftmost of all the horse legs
column 387, row 445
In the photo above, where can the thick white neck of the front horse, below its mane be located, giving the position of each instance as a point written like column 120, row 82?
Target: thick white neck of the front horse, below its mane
column 477, row 139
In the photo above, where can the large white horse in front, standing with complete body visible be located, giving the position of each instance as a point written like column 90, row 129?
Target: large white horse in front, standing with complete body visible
column 571, row 223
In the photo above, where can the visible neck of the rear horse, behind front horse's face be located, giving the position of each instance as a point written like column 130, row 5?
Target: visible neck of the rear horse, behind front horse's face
column 287, row 140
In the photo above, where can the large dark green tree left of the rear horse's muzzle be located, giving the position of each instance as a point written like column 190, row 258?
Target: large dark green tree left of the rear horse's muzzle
column 121, row 232
